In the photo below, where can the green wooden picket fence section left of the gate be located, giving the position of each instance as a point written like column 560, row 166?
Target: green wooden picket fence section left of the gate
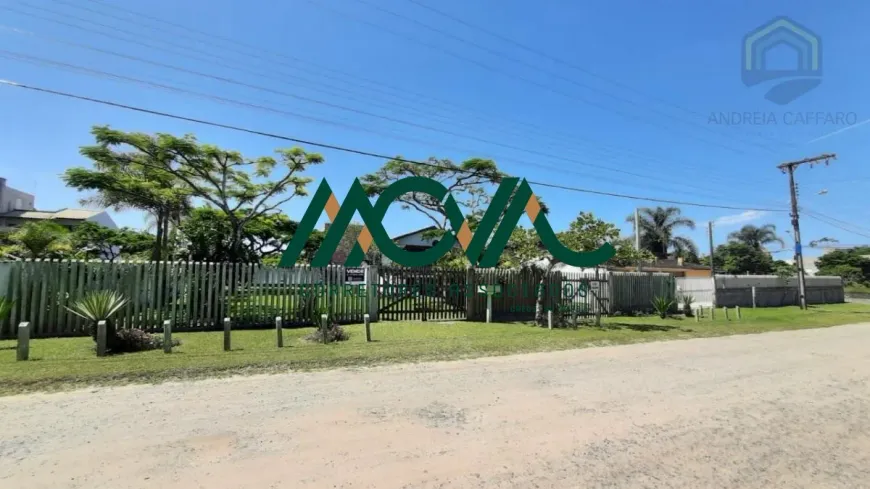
column 194, row 296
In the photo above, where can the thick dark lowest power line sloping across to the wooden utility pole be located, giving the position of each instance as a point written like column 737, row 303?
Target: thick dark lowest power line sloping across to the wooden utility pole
column 351, row 150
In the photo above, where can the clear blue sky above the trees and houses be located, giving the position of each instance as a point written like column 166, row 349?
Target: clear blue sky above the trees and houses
column 633, row 91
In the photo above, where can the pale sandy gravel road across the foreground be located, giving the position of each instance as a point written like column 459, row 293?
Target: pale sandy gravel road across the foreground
column 788, row 410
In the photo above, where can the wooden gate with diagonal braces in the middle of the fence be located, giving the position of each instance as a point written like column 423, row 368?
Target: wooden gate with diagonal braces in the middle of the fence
column 424, row 294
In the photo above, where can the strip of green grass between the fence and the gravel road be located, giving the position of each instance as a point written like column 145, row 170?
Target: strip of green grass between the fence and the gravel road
column 63, row 363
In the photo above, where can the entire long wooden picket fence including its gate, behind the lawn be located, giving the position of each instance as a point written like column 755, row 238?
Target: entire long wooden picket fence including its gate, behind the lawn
column 198, row 296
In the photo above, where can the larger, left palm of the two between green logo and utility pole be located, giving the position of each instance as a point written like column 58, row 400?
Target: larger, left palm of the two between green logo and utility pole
column 657, row 231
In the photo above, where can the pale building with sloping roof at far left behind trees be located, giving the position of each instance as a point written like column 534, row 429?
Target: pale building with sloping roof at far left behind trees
column 17, row 208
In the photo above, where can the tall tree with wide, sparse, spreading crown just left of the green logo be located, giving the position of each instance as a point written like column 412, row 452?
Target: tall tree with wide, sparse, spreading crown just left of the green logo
column 235, row 186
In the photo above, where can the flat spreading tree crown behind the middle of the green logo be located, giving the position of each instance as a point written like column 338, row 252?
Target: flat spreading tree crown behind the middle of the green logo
column 468, row 183
